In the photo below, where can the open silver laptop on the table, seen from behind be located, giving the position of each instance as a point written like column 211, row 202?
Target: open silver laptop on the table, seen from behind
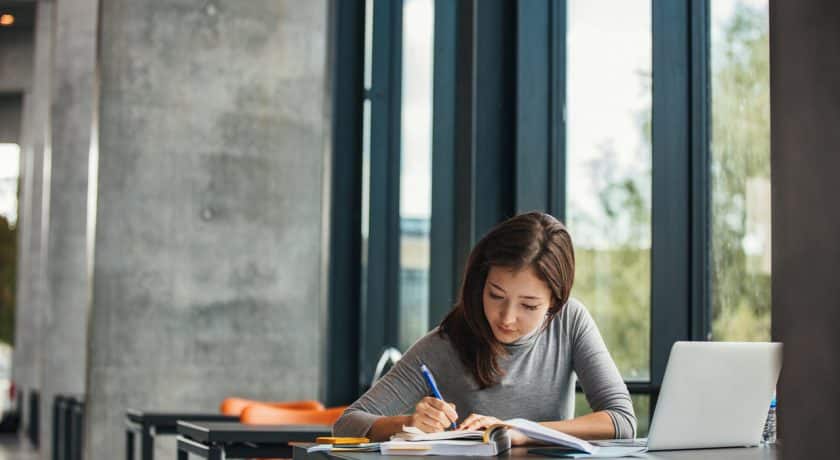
column 714, row 394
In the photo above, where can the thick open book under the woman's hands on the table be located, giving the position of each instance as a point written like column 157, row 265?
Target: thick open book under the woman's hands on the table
column 492, row 441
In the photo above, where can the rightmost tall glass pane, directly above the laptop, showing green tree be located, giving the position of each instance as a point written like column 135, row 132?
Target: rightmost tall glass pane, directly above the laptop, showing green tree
column 740, row 170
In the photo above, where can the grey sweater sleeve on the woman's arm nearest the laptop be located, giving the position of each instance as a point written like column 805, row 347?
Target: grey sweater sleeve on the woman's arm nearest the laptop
column 602, row 383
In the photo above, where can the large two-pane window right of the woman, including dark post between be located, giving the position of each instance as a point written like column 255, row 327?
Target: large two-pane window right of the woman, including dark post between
column 609, row 122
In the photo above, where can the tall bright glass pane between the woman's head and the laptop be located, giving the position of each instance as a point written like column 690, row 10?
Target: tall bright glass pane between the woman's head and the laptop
column 608, row 171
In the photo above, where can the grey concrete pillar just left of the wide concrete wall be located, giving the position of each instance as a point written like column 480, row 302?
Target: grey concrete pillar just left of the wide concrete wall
column 68, row 291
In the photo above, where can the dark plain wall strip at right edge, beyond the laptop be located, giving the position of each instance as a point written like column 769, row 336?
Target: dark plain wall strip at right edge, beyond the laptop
column 805, row 150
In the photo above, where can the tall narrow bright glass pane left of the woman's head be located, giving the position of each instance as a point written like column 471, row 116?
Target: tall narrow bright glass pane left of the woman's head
column 415, row 169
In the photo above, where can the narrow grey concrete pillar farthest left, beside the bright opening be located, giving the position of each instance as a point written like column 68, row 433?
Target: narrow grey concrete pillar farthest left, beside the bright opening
column 31, row 284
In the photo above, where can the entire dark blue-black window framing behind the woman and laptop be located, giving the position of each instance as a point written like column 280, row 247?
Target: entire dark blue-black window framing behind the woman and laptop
column 499, row 148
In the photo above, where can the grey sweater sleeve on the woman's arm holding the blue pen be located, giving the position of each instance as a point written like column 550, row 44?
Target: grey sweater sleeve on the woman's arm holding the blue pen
column 394, row 394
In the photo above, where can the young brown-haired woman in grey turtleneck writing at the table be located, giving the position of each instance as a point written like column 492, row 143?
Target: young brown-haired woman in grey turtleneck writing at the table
column 509, row 348
